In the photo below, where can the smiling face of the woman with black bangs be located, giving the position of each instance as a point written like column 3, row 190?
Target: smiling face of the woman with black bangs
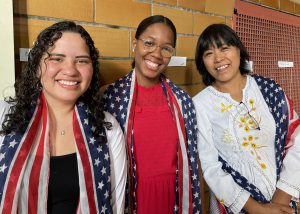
column 223, row 63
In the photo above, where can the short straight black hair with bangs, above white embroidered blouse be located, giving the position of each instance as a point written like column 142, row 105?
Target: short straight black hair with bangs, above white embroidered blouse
column 218, row 35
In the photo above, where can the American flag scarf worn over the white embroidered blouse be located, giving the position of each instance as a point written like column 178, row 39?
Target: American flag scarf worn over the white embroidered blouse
column 281, row 109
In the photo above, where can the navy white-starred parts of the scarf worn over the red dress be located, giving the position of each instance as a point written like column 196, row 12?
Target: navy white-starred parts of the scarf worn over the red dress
column 117, row 101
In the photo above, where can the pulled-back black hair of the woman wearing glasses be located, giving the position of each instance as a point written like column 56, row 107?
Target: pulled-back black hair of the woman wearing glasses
column 153, row 20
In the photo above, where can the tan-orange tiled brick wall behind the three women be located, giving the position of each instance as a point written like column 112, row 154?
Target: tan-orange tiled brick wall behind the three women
column 112, row 24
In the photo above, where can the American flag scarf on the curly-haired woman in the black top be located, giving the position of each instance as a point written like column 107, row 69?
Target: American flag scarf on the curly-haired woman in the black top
column 25, row 158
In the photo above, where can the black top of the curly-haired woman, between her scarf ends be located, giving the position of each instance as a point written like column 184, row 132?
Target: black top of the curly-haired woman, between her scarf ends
column 63, row 189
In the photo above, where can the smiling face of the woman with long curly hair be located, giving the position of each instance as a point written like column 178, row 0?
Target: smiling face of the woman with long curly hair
column 66, row 73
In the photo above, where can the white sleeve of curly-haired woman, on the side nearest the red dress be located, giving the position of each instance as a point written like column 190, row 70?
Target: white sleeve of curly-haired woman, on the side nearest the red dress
column 118, row 165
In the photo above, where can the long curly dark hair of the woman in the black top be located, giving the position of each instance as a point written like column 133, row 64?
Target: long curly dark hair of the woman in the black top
column 28, row 87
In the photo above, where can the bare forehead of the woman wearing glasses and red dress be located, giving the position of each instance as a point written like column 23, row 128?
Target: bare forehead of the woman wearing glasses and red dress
column 159, row 31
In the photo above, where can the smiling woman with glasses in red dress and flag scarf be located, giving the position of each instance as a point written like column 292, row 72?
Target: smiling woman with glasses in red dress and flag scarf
column 159, row 123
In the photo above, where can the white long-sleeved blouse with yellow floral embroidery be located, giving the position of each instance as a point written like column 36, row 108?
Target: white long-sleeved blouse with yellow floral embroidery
column 243, row 134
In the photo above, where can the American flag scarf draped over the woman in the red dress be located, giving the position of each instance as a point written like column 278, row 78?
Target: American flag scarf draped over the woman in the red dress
column 120, row 98
